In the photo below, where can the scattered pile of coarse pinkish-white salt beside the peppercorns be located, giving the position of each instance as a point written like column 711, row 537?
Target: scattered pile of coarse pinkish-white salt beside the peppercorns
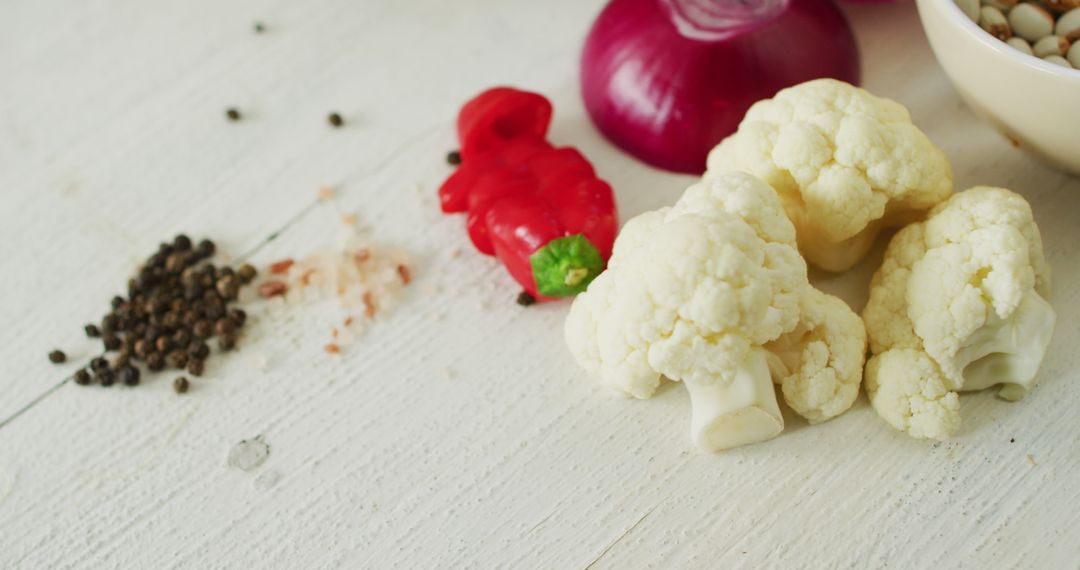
column 367, row 279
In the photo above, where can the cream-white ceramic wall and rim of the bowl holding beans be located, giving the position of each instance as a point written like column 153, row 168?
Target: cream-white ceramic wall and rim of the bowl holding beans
column 1034, row 103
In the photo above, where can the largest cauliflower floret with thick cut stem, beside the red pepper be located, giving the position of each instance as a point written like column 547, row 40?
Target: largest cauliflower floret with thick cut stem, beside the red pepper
column 713, row 293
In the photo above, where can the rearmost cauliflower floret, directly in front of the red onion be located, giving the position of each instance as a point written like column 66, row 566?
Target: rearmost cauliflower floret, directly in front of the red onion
column 846, row 165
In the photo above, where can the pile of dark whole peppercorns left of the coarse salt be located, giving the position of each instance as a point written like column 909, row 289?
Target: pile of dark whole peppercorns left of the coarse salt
column 175, row 305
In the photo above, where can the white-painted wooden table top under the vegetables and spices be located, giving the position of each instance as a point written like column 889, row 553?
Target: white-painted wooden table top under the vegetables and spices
column 457, row 433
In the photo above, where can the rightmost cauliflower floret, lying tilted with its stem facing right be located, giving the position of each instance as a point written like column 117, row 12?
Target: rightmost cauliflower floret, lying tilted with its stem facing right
column 958, row 305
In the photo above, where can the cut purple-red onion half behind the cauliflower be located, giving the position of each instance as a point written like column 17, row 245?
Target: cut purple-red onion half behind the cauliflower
column 667, row 80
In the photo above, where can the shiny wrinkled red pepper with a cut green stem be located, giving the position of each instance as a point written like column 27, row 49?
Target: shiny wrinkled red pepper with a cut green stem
column 541, row 210
